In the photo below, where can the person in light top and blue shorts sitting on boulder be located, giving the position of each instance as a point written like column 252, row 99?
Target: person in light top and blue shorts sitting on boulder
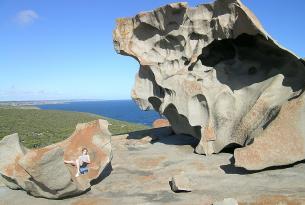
column 81, row 162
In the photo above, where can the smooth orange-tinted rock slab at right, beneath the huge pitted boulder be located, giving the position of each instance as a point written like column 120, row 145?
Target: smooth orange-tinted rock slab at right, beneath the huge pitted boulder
column 281, row 143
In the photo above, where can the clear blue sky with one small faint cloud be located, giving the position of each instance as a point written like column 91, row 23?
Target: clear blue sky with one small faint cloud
column 62, row 49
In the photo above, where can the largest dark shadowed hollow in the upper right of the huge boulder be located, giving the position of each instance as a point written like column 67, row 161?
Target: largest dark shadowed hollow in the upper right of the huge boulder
column 251, row 59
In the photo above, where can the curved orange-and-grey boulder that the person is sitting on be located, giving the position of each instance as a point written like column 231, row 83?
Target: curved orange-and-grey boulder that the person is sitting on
column 42, row 172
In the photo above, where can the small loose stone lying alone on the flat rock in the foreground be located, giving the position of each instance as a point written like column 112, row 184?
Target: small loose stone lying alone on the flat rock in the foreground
column 180, row 183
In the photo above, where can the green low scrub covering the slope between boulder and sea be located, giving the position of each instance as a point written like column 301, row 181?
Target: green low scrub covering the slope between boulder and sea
column 38, row 128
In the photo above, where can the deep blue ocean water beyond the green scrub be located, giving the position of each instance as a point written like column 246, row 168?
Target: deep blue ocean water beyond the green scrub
column 125, row 110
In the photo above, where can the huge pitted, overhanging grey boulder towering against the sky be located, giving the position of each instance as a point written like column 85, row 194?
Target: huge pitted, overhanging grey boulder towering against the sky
column 212, row 70
